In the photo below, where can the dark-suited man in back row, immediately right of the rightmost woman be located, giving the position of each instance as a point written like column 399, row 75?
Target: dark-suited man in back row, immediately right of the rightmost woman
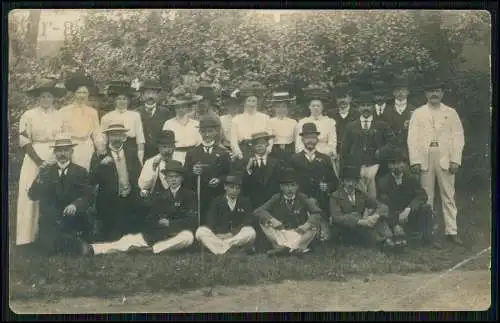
column 345, row 112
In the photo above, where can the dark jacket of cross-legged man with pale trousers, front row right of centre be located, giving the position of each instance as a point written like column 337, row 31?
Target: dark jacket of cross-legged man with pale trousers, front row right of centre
column 303, row 210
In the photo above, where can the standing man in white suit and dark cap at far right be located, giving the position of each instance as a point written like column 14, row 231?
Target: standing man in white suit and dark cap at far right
column 435, row 144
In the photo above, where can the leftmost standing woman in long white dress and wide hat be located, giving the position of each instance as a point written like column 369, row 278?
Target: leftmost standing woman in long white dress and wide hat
column 38, row 129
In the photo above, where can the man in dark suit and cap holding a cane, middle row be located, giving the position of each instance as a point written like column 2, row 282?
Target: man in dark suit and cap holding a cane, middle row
column 209, row 161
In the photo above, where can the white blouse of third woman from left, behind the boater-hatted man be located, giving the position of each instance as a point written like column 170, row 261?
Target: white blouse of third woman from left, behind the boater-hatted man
column 130, row 119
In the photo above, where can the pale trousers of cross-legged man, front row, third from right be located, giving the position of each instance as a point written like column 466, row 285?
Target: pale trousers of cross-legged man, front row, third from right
column 288, row 238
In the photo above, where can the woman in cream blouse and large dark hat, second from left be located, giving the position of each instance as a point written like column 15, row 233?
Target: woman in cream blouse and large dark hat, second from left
column 80, row 121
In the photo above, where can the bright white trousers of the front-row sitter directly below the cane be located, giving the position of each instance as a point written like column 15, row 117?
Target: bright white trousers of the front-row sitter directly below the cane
column 218, row 244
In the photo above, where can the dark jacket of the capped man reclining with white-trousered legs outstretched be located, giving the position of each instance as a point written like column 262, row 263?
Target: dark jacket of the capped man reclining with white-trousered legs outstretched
column 179, row 210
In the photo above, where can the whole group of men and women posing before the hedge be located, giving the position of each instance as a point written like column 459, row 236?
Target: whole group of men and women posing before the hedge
column 160, row 178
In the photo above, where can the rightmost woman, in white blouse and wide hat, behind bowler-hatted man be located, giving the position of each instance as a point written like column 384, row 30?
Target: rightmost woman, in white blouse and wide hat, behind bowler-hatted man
column 327, row 144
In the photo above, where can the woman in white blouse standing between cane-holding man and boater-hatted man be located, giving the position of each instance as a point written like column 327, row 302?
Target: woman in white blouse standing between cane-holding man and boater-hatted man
column 250, row 122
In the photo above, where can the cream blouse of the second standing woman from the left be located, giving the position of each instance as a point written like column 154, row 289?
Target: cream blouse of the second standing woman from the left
column 80, row 122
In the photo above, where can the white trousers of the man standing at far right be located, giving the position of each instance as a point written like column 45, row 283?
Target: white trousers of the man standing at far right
column 446, row 184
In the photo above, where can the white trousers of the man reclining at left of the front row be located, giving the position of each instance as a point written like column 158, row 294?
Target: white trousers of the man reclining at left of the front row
column 182, row 240
